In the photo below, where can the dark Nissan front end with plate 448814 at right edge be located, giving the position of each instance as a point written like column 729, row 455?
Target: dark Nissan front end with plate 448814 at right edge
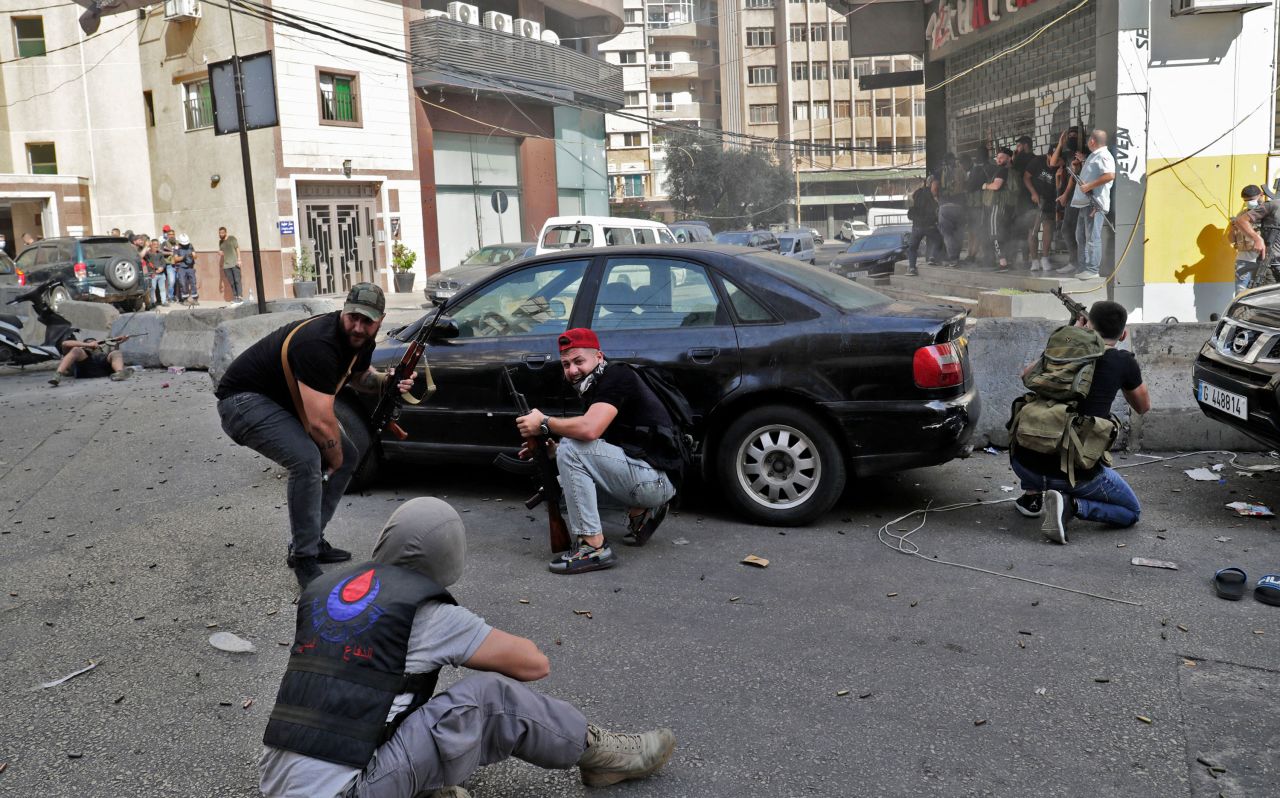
column 1237, row 375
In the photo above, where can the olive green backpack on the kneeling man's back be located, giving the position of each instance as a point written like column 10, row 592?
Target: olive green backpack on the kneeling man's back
column 1045, row 421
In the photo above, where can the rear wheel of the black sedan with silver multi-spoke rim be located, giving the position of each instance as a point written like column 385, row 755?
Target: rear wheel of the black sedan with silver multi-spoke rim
column 780, row 466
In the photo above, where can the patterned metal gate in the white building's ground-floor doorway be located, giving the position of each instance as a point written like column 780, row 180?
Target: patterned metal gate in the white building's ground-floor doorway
column 339, row 229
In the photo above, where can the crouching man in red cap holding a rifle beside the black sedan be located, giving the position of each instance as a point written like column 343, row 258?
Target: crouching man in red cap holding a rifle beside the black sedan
column 609, row 457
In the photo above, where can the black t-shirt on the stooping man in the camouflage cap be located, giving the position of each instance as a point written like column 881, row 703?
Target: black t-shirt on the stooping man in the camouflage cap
column 319, row 355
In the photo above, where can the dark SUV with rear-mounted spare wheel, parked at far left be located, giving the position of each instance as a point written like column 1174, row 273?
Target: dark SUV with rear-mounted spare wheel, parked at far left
column 92, row 270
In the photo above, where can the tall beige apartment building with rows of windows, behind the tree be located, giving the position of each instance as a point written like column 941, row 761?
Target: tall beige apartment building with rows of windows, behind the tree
column 788, row 72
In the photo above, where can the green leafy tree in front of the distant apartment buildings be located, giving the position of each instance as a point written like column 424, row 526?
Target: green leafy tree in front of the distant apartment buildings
column 732, row 188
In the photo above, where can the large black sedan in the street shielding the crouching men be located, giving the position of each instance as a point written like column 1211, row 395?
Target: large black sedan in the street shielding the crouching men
column 798, row 377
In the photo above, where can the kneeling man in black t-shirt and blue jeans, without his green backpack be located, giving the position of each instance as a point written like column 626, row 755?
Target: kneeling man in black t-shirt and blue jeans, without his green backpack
column 1100, row 494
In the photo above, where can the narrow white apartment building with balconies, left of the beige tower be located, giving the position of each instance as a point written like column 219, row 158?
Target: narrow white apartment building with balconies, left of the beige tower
column 668, row 53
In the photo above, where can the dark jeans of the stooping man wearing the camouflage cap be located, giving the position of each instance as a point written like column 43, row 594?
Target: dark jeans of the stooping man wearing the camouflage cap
column 257, row 422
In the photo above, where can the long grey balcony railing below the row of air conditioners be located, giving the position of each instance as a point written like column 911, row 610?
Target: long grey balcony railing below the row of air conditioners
column 449, row 53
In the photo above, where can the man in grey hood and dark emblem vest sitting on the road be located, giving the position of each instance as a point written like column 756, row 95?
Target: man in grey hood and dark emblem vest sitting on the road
column 355, row 633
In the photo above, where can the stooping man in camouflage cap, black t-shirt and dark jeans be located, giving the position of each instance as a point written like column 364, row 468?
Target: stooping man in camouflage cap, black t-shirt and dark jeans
column 277, row 399
